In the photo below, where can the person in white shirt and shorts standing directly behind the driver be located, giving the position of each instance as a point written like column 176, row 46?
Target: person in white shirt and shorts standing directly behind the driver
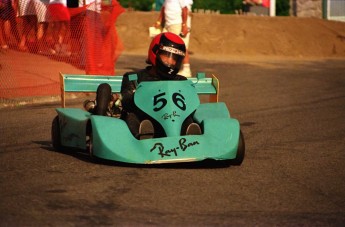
column 175, row 17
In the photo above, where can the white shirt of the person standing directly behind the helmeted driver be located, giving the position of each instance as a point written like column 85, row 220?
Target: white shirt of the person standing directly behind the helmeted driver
column 173, row 11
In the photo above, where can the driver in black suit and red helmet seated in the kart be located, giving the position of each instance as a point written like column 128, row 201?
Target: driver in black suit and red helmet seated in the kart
column 165, row 57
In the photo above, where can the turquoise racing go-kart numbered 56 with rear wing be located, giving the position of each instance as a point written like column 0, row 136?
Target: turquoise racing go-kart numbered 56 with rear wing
column 169, row 103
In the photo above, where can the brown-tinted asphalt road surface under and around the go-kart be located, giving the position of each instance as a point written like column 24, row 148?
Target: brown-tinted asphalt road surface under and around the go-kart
column 292, row 116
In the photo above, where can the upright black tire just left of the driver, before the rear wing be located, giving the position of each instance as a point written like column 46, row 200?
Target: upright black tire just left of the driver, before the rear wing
column 103, row 98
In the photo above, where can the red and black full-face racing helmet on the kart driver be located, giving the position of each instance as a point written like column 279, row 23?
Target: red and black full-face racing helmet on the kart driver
column 166, row 53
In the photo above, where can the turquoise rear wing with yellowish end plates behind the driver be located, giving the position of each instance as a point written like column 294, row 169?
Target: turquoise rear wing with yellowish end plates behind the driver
column 88, row 83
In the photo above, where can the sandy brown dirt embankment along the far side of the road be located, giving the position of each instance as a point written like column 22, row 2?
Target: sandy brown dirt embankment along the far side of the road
column 230, row 35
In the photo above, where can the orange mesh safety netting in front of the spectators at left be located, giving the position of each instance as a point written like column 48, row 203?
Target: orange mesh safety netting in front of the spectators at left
column 88, row 42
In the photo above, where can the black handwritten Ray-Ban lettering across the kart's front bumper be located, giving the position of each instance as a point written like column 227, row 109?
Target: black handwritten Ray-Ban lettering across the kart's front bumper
column 183, row 145
